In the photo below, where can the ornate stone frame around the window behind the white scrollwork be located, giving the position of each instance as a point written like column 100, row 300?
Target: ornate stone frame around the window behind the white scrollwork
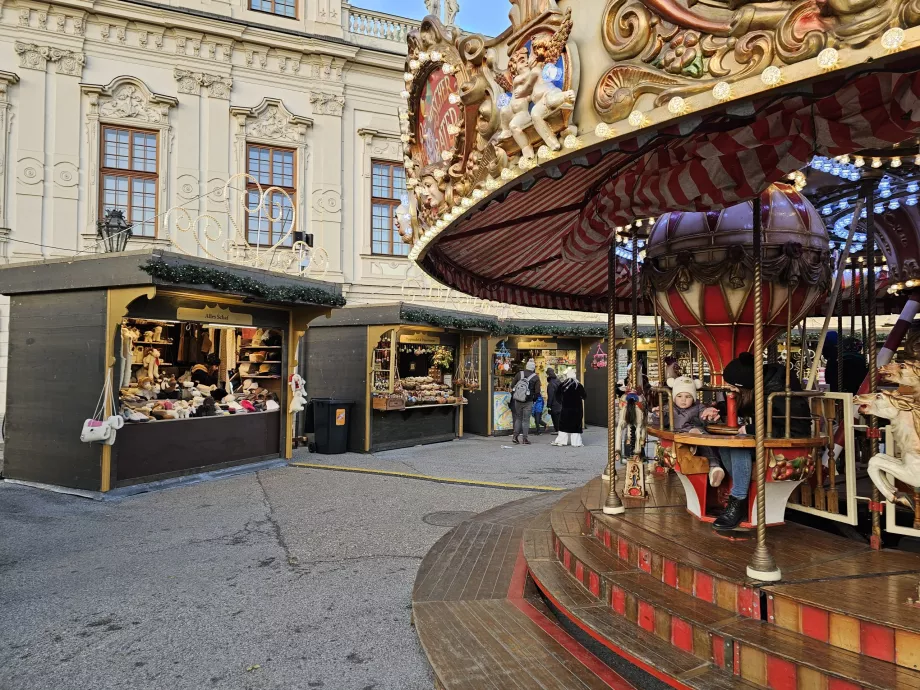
column 270, row 123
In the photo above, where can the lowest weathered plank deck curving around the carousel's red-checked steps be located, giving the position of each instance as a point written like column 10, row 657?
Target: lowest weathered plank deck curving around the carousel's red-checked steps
column 475, row 626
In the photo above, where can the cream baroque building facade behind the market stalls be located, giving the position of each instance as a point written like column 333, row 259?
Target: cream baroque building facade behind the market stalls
column 172, row 110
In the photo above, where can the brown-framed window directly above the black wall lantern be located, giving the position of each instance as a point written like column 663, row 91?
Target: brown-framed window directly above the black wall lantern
column 129, row 177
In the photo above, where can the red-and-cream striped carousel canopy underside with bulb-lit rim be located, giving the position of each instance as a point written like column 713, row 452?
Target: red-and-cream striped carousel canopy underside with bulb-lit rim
column 541, row 238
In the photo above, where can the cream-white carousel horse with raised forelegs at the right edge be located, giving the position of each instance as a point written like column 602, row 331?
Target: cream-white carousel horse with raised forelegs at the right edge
column 904, row 413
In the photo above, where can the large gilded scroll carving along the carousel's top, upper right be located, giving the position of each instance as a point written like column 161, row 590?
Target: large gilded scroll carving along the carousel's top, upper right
column 669, row 49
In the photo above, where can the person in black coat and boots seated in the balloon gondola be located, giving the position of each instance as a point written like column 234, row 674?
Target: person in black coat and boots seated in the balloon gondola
column 739, row 375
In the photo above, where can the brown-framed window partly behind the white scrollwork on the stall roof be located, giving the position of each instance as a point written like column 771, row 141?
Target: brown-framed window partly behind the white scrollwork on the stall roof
column 271, row 167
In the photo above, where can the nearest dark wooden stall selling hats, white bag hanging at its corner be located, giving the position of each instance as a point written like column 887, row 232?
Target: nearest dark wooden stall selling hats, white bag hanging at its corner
column 188, row 360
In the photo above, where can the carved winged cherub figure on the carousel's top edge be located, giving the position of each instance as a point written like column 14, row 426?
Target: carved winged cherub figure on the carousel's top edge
column 529, row 85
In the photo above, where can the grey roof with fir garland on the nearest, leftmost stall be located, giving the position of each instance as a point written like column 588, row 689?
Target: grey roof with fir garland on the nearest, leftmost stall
column 166, row 269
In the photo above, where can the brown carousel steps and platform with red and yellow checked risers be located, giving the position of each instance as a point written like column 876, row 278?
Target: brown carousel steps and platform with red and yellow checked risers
column 686, row 587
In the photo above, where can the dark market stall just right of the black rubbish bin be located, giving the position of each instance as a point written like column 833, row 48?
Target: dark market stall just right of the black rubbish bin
column 411, row 372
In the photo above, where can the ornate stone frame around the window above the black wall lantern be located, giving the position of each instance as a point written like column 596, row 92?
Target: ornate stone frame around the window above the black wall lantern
column 126, row 101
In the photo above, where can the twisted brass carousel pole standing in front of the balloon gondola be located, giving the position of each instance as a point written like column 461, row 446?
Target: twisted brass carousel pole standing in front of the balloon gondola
column 762, row 566
